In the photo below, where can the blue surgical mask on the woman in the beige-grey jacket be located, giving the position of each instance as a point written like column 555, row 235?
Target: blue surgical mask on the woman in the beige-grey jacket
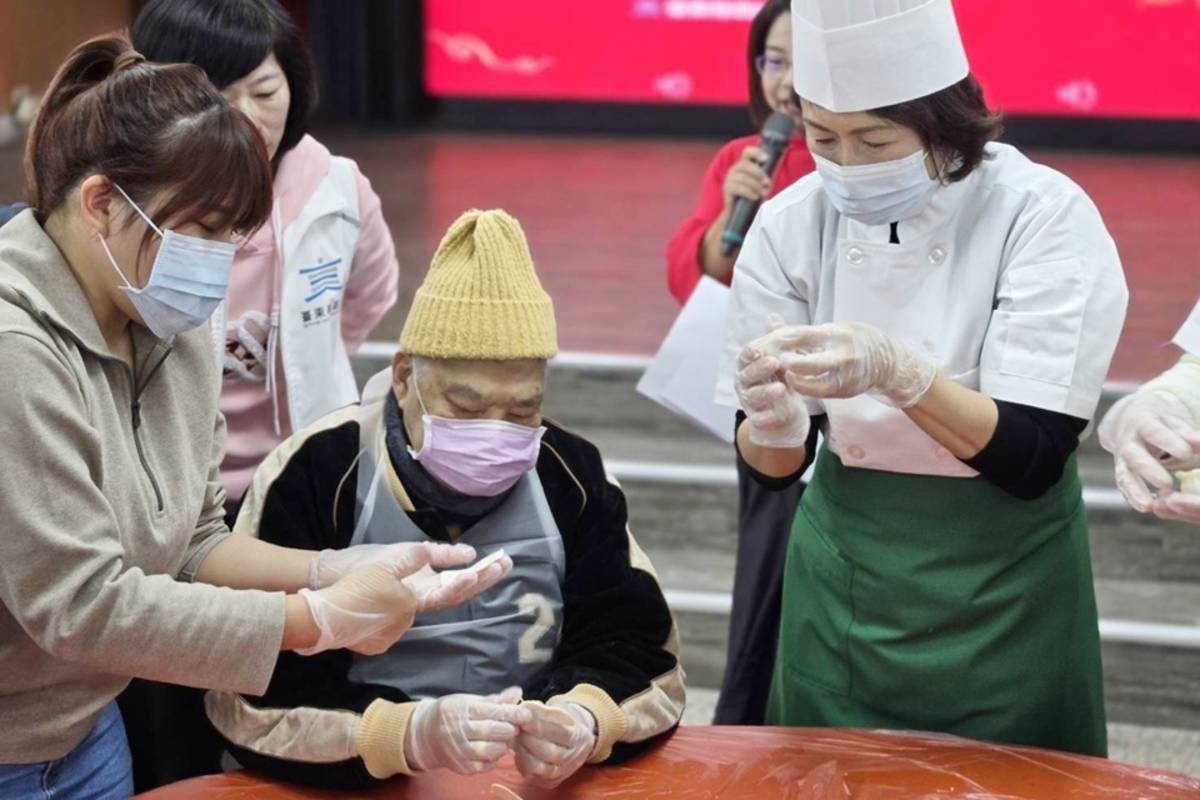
column 190, row 279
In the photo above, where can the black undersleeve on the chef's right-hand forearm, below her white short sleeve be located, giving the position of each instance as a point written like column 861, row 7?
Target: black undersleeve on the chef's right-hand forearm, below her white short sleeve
column 1029, row 450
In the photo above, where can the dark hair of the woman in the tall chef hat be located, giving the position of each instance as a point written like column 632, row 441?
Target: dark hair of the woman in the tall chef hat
column 956, row 122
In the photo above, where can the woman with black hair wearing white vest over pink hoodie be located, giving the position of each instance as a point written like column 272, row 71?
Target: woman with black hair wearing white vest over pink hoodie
column 308, row 287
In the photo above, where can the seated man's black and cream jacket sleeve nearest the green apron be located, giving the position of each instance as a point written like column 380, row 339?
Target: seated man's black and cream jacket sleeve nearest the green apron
column 619, row 635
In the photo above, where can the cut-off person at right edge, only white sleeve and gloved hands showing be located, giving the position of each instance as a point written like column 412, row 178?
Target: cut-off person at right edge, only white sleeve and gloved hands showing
column 1155, row 437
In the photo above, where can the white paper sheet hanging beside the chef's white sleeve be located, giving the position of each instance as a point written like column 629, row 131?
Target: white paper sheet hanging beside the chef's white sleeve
column 683, row 376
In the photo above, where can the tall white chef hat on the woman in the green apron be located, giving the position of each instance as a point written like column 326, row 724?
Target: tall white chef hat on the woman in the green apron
column 856, row 56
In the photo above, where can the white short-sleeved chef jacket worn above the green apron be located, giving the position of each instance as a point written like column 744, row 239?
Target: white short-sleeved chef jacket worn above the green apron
column 1009, row 280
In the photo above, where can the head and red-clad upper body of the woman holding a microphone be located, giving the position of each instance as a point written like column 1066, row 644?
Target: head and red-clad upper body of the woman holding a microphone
column 736, row 172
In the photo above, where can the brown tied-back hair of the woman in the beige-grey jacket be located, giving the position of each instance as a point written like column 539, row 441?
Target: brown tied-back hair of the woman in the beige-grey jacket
column 159, row 131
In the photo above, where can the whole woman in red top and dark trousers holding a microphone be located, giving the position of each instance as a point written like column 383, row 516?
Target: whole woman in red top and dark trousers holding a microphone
column 765, row 518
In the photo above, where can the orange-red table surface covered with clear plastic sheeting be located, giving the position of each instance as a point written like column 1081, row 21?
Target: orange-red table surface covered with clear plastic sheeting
column 728, row 763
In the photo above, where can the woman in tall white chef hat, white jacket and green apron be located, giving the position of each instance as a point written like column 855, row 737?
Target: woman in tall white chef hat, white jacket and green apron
column 946, row 311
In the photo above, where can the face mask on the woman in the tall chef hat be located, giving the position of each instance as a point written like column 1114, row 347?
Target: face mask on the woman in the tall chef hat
column 874, row 195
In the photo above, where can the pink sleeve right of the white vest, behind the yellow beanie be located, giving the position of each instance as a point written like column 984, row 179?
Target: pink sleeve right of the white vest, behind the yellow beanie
column 375, row 275
